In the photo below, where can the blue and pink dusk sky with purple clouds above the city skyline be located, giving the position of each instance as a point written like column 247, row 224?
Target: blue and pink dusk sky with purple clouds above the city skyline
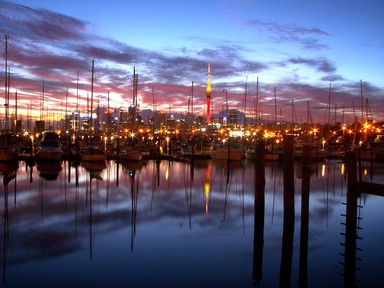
column 324, row 59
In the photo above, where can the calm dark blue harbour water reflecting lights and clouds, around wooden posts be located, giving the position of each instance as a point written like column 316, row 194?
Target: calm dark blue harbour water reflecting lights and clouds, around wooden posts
column 168, row 225
